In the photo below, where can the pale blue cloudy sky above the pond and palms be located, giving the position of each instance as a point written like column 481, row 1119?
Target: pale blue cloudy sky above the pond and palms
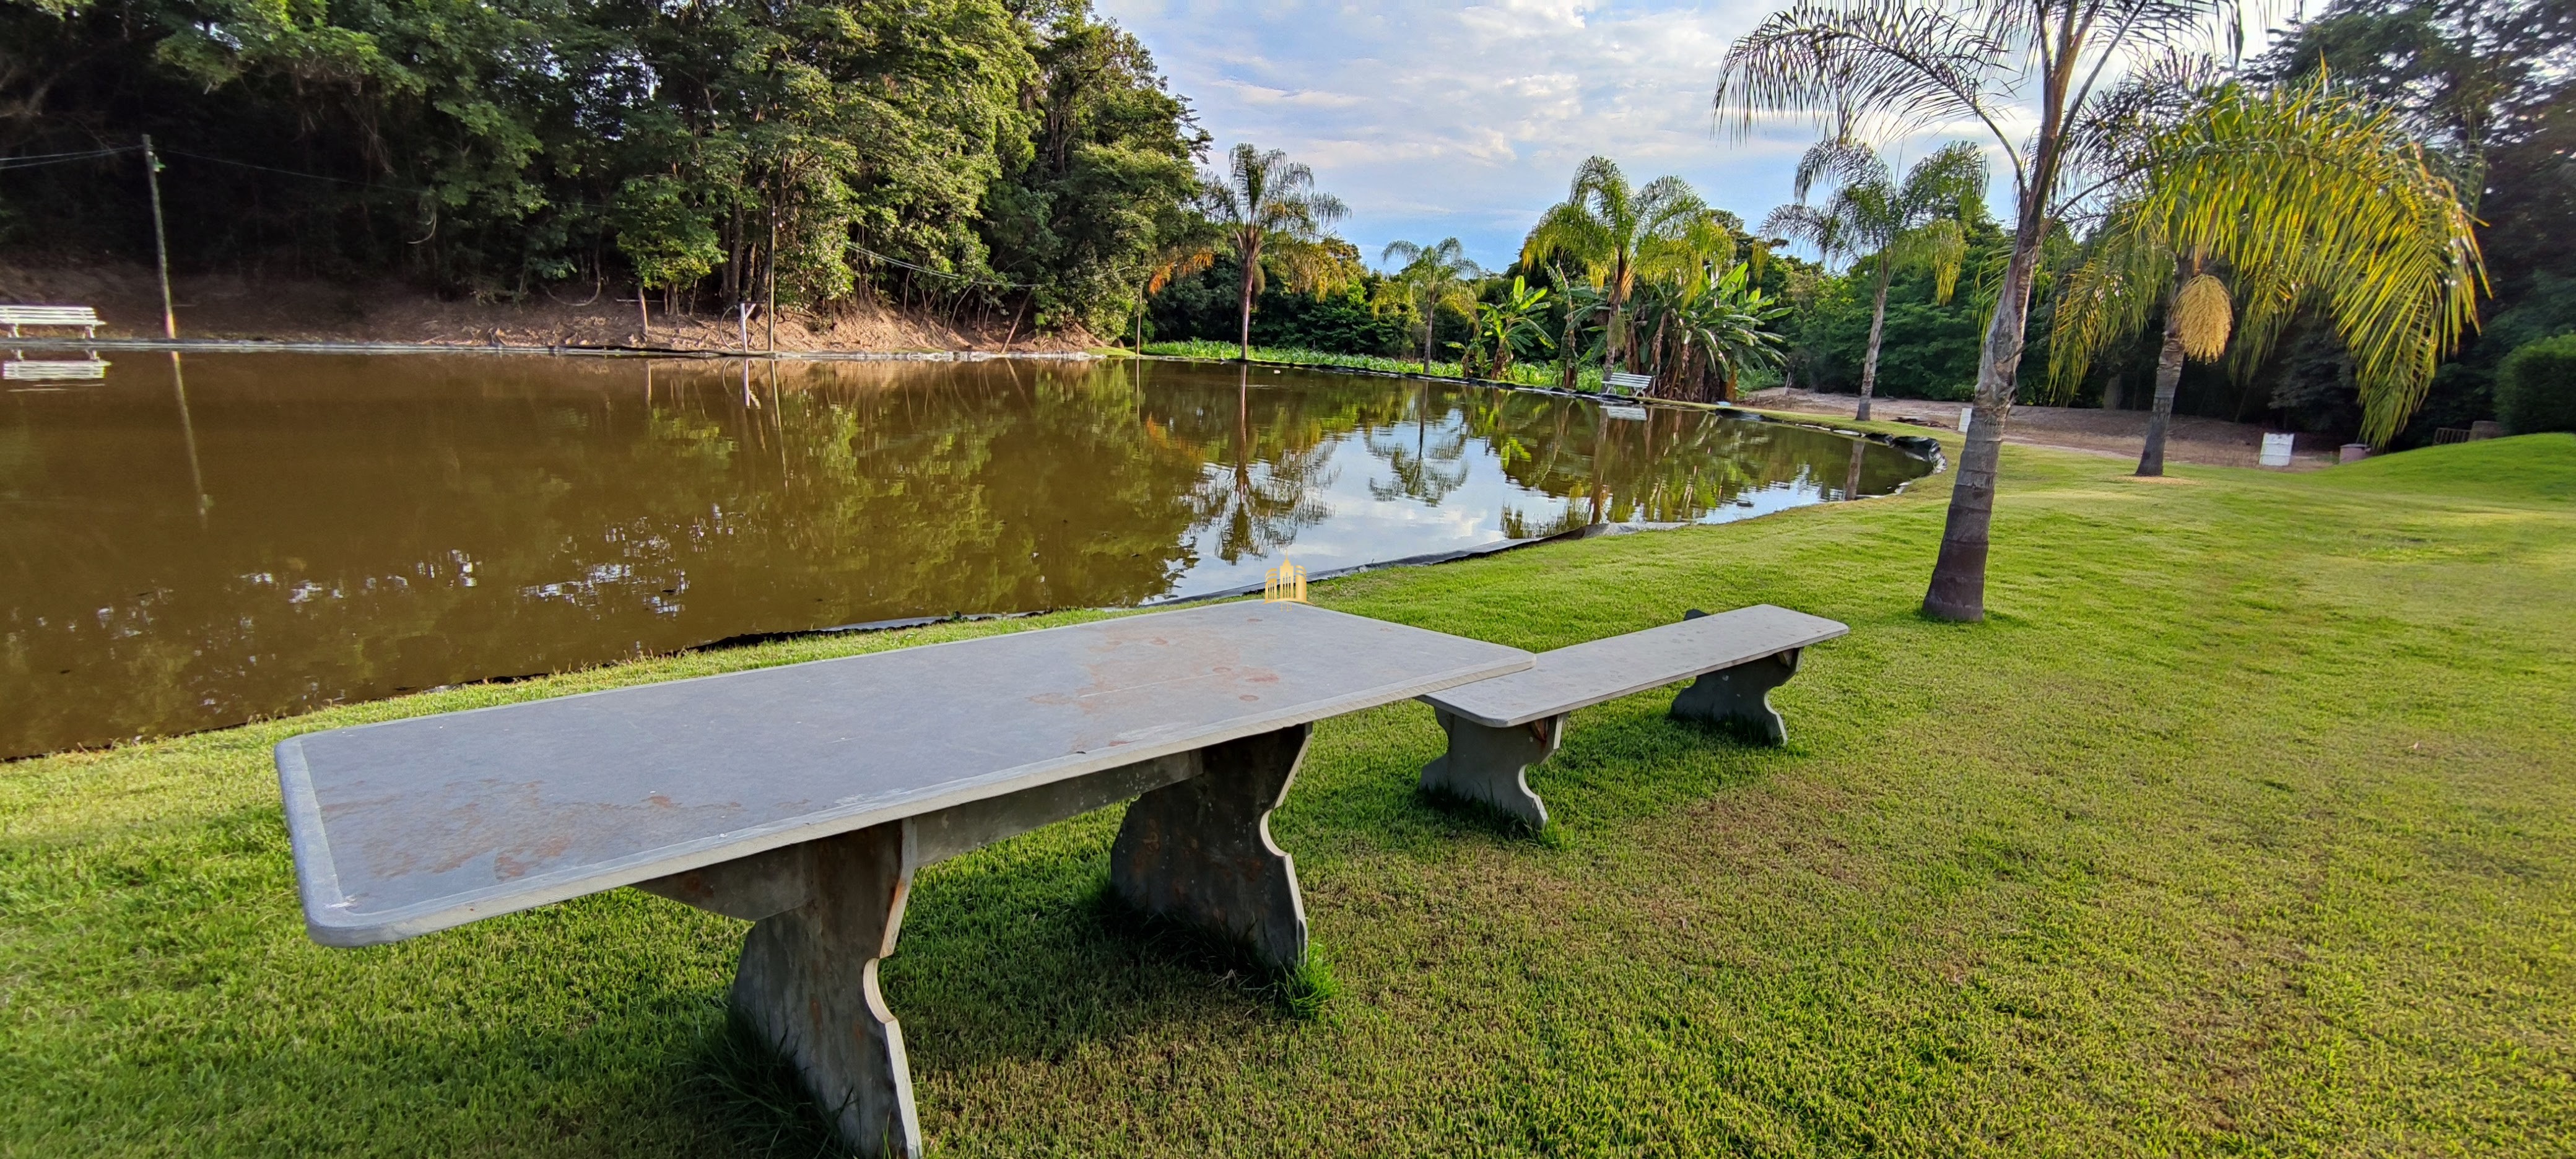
column 1439, row 120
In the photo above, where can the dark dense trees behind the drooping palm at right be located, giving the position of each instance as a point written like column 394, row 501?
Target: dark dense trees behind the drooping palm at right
column 2485, row 84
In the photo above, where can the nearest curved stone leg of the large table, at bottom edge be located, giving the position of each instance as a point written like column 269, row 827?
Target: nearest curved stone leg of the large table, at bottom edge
column 808, row 980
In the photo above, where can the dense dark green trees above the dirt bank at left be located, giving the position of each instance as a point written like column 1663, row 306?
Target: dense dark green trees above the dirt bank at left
column 1006, row 156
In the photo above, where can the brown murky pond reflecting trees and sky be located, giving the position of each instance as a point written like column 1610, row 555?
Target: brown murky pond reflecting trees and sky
column 192, row 545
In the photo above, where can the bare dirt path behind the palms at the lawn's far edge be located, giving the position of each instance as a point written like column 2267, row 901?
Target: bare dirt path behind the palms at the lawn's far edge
column 2078, row 429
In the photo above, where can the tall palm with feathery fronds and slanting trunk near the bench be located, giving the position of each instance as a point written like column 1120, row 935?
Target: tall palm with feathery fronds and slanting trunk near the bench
column 1995, row 63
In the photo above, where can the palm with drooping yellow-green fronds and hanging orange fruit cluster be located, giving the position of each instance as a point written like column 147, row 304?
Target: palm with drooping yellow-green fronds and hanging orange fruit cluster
column 2299, row 197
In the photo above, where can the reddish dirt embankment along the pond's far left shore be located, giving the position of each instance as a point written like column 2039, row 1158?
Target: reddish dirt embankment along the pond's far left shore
column 128, row 297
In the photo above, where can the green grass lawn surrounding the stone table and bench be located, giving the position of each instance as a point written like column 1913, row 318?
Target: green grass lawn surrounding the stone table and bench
column 2248, row 825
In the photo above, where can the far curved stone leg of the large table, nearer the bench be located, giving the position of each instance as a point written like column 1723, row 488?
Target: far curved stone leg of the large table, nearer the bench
column 1199, row 851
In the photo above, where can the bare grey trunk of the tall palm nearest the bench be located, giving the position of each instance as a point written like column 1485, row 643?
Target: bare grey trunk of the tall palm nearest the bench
column 1959, row 578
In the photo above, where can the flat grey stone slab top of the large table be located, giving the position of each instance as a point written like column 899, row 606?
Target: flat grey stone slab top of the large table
column 429, row 823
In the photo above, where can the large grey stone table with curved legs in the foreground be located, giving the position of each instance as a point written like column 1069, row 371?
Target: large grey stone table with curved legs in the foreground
column 805, row 797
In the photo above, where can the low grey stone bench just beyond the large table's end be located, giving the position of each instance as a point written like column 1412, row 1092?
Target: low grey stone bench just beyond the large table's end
column 1501, row 728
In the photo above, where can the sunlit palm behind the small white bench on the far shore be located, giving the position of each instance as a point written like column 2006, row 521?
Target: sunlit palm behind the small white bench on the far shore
column 1611, row 231
